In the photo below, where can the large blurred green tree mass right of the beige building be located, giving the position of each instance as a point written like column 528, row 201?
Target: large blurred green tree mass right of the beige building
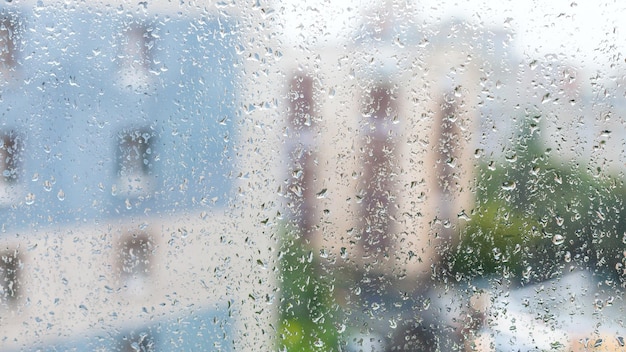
column 537, row 216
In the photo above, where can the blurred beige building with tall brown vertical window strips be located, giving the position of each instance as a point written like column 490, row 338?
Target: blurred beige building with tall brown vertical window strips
column 379, row 139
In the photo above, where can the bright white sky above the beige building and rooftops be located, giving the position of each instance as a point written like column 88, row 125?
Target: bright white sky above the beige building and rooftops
column 588, row 33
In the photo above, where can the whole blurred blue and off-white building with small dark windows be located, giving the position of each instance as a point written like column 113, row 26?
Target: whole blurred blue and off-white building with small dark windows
column 118, row 163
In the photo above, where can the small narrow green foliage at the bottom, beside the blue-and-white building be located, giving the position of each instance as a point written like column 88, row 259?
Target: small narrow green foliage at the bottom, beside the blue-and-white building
column 306, row 308
